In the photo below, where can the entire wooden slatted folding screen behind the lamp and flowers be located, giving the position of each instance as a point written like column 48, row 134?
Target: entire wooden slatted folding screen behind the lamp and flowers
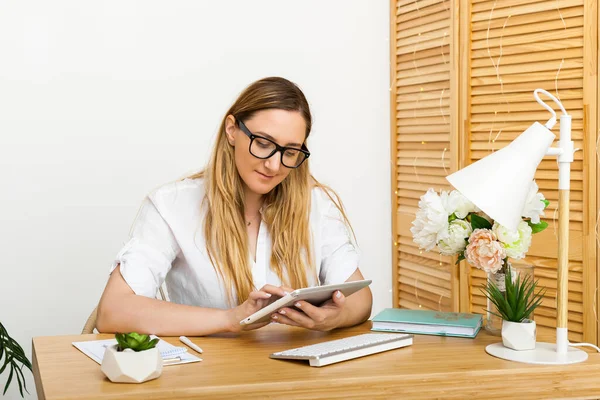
column 462, row 81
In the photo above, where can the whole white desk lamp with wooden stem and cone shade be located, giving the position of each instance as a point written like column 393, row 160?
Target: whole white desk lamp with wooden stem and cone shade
column 498, row 184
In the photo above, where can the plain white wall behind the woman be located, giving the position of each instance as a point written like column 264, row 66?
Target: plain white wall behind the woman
column 100, row 102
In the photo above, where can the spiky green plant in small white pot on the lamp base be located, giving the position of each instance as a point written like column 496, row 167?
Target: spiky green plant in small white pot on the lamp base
column 515, row 305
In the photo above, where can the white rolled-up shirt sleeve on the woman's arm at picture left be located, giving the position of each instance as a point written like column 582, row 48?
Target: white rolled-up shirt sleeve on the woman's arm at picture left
column 148, row 255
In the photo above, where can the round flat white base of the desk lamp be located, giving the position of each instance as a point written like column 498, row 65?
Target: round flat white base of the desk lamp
column 544, row 353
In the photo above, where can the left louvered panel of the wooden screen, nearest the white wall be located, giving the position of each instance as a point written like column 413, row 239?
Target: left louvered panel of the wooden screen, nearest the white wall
column 421, row 144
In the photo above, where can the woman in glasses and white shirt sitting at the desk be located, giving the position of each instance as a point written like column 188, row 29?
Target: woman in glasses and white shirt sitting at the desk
column 254, row 218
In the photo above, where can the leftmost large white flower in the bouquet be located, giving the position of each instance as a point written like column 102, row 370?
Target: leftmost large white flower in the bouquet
column 431, row 223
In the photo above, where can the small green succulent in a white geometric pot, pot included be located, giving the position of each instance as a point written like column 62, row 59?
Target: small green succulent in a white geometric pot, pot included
column 134, row 359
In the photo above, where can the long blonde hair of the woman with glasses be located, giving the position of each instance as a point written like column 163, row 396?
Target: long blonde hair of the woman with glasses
column 286, row 209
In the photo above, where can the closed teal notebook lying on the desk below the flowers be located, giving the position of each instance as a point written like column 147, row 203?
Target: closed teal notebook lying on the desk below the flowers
column 427, row 322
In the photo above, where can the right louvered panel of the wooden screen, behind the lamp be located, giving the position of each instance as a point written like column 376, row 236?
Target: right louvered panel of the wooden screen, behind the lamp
column 517, row 46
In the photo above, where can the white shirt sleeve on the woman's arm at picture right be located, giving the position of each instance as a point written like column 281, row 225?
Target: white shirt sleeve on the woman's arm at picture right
column 340, row 255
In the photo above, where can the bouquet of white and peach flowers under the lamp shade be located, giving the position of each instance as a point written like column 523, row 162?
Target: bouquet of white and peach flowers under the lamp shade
column 457, row 227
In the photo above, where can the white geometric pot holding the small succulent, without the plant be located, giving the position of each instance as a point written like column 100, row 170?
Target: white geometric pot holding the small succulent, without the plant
column 131, row 366
